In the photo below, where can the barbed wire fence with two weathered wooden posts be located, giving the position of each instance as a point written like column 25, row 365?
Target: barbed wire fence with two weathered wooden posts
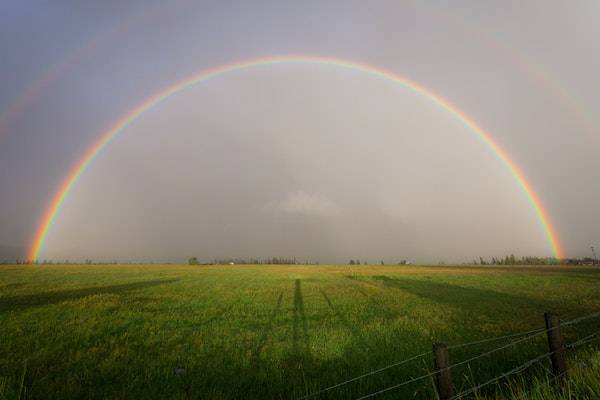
column 556, row 353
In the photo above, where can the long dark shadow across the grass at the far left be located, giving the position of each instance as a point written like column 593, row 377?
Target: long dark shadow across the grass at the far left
column 47, row 298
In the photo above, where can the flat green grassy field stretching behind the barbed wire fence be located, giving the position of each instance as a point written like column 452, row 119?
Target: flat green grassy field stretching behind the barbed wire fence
column 224, row 332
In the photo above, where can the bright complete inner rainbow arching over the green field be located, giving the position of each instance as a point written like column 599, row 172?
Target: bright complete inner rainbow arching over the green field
column 54, row 208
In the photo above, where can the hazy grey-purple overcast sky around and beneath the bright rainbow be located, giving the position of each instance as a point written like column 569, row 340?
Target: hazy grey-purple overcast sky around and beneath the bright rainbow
column 317, row 162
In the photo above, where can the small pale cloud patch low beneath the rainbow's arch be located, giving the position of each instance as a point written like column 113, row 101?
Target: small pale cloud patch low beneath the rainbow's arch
column 302, row 203
